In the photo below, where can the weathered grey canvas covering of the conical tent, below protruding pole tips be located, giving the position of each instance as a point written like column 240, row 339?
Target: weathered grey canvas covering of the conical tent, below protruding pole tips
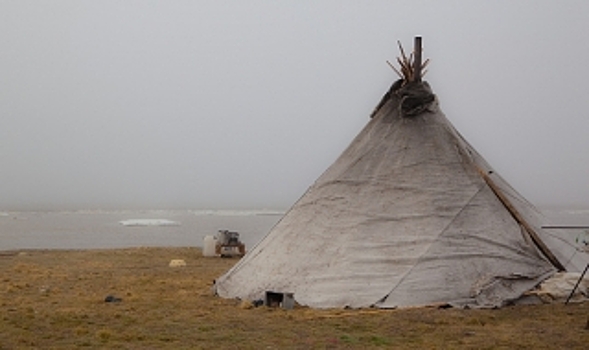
column 410, row 214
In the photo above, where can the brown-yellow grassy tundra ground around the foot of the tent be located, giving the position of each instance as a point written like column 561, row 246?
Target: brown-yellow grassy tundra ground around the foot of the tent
column 55, row 299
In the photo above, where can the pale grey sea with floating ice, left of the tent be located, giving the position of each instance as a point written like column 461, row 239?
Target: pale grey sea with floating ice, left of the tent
column 111, row 229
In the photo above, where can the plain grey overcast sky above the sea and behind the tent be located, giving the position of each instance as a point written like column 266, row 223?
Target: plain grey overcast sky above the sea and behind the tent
column 243, row 104
